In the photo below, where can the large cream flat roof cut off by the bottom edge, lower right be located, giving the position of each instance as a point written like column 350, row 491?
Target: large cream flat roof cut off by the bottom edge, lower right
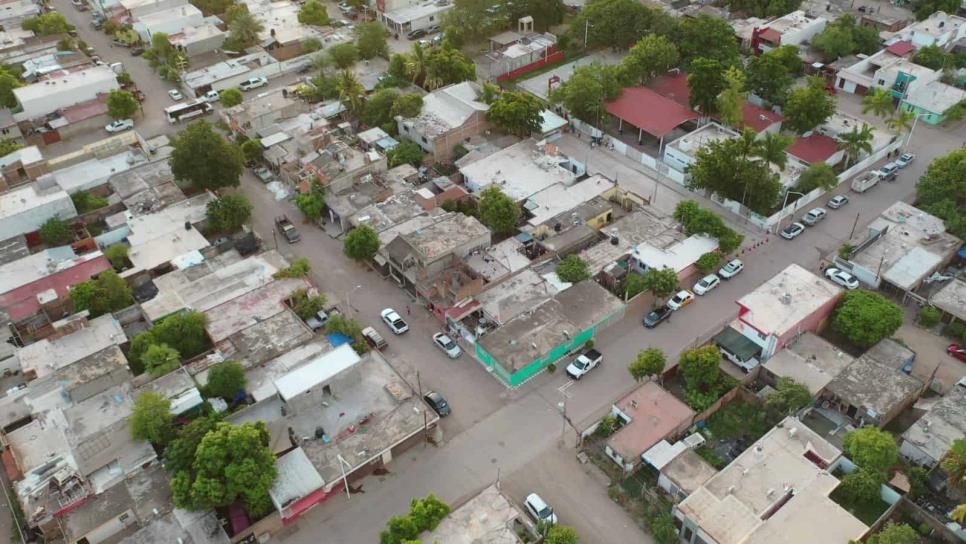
column 777, row 477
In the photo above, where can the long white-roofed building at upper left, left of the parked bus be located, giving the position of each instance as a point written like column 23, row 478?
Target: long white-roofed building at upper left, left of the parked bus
column 54, row 93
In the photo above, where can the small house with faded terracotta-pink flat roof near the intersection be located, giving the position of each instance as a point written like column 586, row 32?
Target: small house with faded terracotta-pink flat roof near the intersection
column 654, row 415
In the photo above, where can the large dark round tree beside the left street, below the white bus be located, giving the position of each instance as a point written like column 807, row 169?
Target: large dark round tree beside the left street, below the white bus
column 205, row 158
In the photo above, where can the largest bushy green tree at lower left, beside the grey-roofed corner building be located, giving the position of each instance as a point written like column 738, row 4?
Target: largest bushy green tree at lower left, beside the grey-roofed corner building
column 232, row 462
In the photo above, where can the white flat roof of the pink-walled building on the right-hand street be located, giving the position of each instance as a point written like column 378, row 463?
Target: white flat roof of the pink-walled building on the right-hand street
column 785, row 300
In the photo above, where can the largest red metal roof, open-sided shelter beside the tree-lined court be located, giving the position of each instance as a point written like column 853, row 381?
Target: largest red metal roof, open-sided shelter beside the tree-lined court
column 649, row 111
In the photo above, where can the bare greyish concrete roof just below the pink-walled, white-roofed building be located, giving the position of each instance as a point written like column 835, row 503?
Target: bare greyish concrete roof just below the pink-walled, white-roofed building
column 811, row 361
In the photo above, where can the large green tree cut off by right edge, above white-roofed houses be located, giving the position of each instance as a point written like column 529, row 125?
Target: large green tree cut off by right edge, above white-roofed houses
column 940, row 191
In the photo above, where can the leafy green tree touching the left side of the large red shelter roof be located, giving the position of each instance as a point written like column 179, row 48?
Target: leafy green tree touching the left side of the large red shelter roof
column 589, row 87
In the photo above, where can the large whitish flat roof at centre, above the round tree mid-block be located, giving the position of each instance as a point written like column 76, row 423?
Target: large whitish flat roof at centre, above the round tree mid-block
column 520, row 170
